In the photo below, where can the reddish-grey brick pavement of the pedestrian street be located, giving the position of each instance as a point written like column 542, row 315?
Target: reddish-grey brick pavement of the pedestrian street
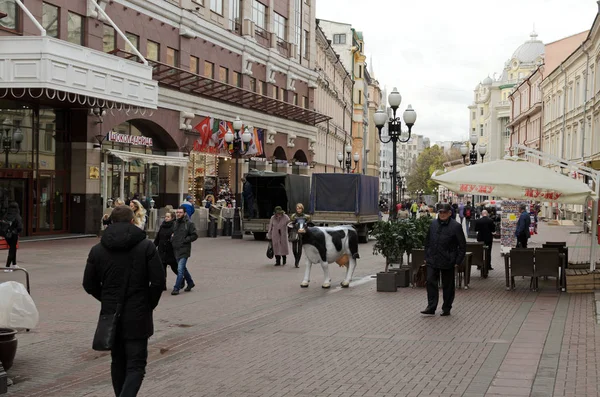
column 248, row 329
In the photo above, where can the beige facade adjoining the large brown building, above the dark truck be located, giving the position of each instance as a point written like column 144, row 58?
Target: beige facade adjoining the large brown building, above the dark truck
column 333, row 97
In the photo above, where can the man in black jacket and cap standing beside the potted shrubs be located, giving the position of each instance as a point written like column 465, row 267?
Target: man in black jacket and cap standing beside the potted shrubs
column 445, row 247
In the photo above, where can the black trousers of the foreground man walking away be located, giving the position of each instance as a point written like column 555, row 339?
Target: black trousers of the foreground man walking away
column 128, row 366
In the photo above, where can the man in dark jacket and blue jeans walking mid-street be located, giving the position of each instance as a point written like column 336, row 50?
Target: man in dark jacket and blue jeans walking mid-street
column 184, row 233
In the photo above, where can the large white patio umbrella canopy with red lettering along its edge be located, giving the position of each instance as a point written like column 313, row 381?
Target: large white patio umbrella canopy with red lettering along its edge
column 516, row 179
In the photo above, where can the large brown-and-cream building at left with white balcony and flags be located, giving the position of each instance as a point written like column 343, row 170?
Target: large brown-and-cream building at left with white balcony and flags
column 97, row 114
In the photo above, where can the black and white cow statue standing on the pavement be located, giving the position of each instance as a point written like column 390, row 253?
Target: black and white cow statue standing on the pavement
column 326, row 245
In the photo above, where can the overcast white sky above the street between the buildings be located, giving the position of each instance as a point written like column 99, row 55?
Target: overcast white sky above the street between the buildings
column 437, row 51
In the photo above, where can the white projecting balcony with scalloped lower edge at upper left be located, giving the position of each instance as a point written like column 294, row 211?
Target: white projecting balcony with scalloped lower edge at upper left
column 78, row 74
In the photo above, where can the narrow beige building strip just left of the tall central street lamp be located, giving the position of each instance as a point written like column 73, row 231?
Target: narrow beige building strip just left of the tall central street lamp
column 372, row 144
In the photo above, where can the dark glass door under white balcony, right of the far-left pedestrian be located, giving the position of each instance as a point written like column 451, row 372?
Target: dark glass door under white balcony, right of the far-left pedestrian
column 50, row 206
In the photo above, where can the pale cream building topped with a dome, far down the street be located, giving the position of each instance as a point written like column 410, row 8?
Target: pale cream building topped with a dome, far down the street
column 489, row 113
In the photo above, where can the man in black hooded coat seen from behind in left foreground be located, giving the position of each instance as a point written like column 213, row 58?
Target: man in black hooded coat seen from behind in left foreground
column 124, row 246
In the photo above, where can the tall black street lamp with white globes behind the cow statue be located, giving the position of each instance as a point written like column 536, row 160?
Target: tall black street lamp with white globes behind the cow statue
column 395, row 131
